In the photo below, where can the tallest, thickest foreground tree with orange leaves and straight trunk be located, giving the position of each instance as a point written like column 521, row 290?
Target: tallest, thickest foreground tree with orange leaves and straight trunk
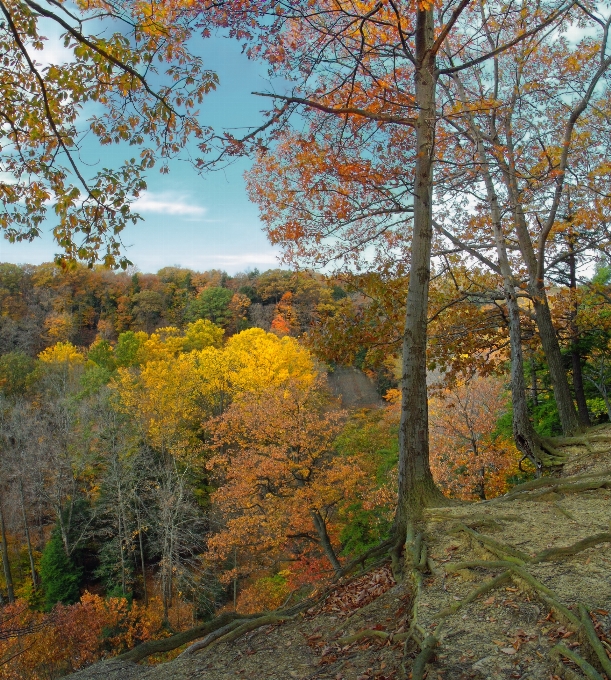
column 372, row 72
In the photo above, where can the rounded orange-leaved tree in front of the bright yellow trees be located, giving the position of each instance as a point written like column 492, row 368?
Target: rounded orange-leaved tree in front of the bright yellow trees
column 280, row 482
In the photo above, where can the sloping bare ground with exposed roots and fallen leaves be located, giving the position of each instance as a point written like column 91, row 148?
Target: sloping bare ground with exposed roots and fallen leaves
column 509, row 630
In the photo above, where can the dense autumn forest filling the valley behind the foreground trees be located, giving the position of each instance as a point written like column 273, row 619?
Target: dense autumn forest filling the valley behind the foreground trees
column 171, row 446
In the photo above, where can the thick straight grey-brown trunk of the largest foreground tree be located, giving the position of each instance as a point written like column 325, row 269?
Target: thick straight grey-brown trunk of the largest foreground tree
column 416, row 486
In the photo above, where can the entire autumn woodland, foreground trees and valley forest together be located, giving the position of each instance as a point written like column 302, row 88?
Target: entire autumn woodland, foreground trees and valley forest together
column 177, row 450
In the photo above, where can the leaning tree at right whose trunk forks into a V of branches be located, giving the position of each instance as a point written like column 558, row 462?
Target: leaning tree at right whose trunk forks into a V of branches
column 510, row 146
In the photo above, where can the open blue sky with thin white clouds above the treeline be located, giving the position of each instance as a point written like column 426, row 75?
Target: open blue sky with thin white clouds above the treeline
column 200, row 222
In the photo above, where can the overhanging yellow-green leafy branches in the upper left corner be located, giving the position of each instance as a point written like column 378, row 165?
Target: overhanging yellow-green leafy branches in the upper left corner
column 145, row 84
